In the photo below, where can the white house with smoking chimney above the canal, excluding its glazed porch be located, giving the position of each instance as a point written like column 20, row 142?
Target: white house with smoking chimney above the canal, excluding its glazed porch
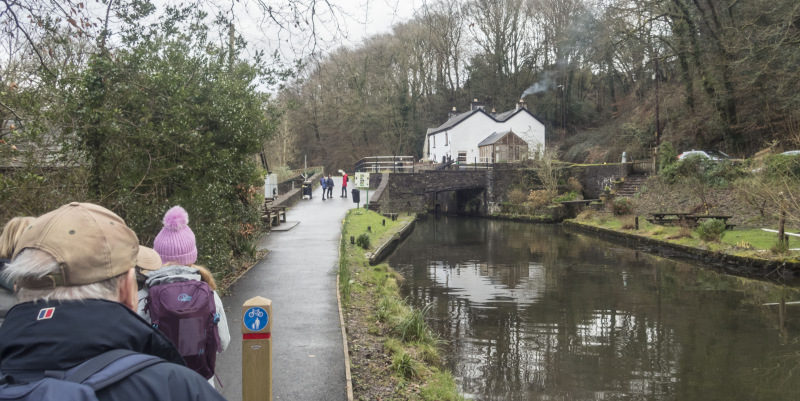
column 459, row 137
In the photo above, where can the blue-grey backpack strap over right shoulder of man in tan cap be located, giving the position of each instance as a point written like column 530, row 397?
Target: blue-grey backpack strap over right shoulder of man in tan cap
column 107, row 368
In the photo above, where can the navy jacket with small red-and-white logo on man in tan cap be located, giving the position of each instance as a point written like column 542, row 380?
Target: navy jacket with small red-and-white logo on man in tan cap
column 79, row 330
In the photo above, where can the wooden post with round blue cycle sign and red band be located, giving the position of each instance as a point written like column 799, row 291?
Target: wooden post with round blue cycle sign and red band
column 257, row 350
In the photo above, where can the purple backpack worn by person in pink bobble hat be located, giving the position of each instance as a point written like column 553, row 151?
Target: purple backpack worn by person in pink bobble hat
column 186, row 313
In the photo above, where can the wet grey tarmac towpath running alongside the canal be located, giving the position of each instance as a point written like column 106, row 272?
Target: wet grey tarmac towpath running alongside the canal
column 299, row 276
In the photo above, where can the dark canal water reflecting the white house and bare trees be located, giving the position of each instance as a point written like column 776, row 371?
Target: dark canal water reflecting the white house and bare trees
column 533, row 312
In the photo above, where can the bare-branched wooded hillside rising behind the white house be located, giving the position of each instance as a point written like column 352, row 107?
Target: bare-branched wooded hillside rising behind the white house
column 605, row 77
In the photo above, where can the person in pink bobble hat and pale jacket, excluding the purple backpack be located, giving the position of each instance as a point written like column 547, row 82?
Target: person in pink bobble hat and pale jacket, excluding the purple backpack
column 176, row 246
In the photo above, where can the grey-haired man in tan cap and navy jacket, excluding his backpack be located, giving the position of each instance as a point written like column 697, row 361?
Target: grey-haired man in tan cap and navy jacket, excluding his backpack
column 76, row 273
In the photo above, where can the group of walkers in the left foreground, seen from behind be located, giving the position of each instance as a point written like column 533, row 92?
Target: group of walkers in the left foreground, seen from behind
column 92, row 302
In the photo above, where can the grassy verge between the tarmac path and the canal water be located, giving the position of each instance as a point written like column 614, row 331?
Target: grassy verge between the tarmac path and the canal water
column 393, row 353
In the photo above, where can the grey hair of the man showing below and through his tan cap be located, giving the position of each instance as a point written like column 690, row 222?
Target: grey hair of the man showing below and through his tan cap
column 35, row 264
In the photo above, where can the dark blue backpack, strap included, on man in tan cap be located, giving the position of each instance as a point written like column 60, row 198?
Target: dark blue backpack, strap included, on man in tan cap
column 80, row 382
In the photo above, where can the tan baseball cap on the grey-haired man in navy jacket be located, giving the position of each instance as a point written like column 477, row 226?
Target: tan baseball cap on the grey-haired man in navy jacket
column 89, row 242
